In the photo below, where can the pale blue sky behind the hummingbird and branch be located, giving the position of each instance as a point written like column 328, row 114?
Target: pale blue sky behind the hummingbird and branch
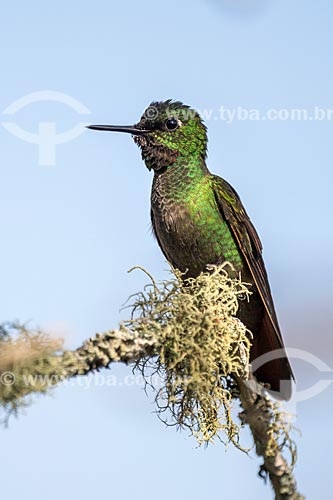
column 71, row 231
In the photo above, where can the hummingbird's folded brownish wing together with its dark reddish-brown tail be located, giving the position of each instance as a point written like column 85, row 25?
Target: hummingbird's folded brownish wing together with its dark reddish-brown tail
column 269, row 337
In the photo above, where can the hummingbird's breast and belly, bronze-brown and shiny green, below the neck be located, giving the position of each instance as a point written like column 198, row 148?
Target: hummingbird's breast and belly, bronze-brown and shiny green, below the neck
column 189, row 226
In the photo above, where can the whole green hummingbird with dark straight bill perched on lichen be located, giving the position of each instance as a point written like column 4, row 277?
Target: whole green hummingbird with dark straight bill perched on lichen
column 199, row 221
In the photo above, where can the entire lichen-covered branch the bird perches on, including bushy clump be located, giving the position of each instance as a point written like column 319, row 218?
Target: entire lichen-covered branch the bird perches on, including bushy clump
column 187, row 333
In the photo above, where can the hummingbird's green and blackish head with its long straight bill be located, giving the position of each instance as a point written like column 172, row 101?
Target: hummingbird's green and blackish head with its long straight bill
column 167, row 130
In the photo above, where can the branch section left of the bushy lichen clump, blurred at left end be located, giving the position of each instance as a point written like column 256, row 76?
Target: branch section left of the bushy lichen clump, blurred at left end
column 31, row 362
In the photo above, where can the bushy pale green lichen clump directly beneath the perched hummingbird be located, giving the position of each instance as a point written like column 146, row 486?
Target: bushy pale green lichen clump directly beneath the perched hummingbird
column 201, row 346
